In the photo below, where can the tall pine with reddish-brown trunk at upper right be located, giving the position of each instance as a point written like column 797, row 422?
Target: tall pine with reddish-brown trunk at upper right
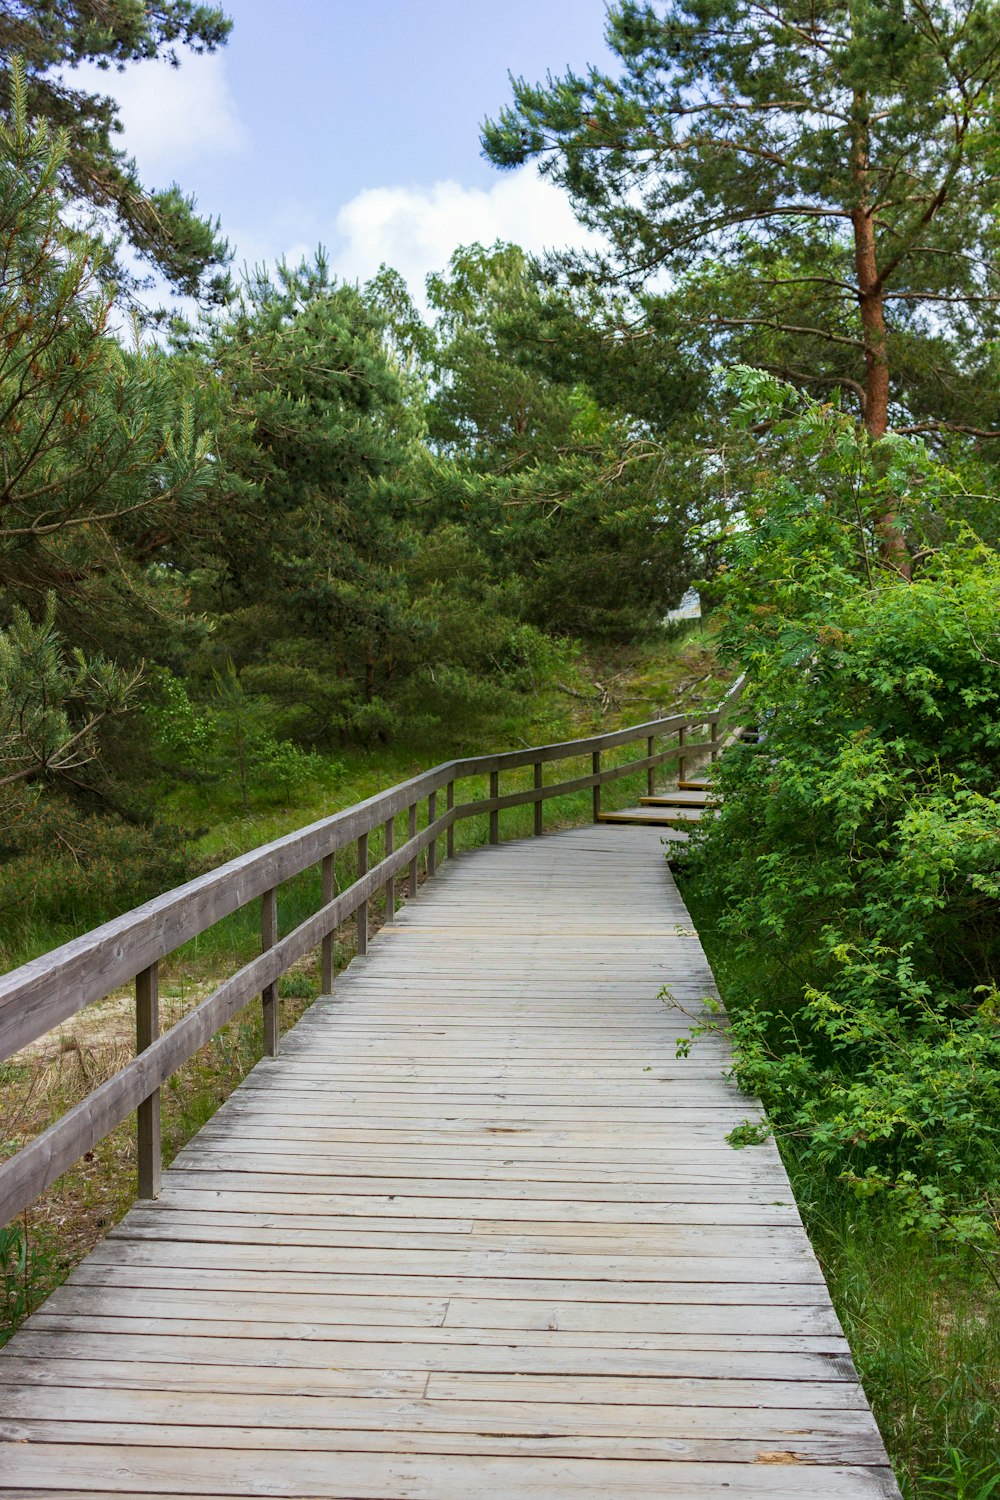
column 819, row 182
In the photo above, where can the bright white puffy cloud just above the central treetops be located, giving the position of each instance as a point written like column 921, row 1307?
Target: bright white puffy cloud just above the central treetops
column 418, row 229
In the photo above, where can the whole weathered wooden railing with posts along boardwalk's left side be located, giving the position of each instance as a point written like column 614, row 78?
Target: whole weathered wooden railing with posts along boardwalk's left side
column 49, row 991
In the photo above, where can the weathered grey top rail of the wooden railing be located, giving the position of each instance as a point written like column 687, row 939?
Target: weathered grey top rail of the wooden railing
column 47, row 991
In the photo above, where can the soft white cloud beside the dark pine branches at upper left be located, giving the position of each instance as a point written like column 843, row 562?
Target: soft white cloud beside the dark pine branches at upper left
column 170, row 115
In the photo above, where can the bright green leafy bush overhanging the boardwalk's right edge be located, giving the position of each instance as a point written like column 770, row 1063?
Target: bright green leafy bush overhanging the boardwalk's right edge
column 858, row 850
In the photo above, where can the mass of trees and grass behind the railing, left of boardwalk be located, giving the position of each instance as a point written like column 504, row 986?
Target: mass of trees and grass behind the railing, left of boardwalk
column 311, row 530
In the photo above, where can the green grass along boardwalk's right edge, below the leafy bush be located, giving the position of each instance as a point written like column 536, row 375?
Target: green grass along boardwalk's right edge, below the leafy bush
column 923, row 1316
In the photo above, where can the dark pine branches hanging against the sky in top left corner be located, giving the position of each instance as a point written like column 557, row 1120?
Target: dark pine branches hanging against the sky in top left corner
column 163, row 227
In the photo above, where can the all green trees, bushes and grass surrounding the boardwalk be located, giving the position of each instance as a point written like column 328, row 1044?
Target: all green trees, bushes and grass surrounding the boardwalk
column 316, row 542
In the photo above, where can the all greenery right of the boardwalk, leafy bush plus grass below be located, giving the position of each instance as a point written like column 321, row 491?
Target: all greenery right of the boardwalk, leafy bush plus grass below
column 848, row 895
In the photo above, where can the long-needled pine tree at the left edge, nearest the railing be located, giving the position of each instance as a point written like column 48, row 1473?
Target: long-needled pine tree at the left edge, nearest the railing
column 98, row 455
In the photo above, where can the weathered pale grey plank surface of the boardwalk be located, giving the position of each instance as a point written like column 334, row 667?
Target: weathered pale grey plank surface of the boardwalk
column 476, row 1234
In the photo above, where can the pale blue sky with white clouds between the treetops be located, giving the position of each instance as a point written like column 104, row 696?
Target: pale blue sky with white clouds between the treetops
column 356, row 124
